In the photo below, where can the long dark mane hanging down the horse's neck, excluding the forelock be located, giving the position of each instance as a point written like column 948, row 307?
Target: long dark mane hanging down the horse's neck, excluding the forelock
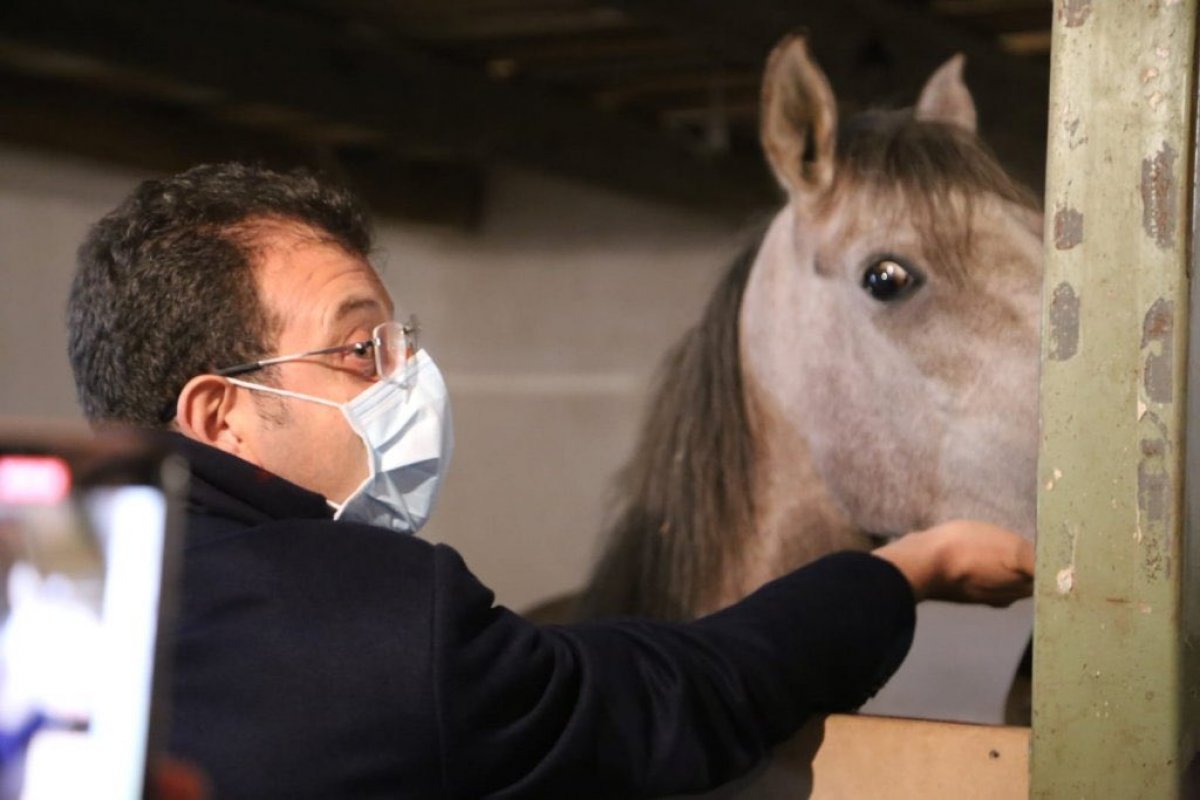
column 687, row 491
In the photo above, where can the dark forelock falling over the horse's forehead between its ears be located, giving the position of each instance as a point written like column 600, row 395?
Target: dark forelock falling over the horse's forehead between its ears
column 933, row 172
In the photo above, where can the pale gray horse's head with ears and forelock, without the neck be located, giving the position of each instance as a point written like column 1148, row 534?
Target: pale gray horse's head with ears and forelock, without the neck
column 891, row 321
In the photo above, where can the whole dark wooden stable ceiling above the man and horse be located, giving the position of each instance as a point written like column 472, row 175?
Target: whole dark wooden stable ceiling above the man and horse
column 413, row 100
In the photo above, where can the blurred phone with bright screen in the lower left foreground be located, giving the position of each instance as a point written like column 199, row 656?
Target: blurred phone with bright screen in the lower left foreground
column 82, row 566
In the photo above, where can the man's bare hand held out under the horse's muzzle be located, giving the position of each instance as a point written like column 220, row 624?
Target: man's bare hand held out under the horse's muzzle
column 964, row 562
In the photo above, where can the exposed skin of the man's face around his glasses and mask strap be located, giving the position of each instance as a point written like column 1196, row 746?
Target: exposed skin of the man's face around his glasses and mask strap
column 320, row 297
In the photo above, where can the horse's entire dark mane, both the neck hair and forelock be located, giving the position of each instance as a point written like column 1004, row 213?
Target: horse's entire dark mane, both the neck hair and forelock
column 687, row 495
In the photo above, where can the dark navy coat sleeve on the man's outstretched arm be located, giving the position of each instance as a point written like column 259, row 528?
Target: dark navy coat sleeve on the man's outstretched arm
column 635, row 708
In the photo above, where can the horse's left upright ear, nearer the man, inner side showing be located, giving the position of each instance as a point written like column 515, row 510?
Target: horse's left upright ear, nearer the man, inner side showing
column 800, row 118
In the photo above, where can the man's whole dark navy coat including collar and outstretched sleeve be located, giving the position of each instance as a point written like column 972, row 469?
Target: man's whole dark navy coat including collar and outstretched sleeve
column 321, row 659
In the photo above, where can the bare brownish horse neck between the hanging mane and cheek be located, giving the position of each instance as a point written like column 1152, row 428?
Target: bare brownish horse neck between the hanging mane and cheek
column 796, row 519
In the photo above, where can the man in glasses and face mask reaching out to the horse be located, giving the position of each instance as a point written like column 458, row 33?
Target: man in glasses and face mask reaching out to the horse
column 322, row 652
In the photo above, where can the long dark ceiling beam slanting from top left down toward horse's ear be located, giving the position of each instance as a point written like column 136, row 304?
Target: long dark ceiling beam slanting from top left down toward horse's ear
column 427, row 109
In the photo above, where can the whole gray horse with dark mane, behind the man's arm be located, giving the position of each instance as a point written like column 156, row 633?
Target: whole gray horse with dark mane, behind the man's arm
column 868, row 369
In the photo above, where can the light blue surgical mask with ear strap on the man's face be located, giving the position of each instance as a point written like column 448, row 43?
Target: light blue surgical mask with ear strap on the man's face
column 405, row 423
